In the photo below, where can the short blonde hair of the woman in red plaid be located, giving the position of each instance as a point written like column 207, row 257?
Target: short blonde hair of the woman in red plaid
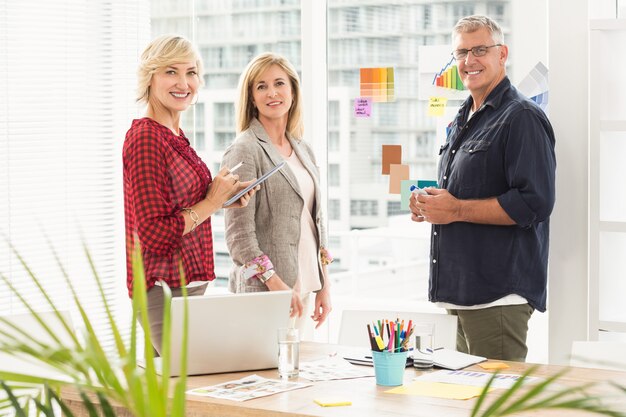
column 161, row 52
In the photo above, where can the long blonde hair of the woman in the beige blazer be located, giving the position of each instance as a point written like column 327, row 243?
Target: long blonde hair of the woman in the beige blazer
column 244, row 107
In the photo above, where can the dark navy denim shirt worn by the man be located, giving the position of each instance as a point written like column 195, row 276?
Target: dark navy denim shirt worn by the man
column 506, row 150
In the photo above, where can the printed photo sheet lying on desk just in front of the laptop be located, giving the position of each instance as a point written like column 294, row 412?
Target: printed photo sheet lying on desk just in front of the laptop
column 247, row 388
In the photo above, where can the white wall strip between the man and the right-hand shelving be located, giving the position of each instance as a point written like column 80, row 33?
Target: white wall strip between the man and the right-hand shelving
column 567, row 287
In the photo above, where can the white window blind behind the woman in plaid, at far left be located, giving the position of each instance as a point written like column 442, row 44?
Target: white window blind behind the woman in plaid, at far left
column 66, row 100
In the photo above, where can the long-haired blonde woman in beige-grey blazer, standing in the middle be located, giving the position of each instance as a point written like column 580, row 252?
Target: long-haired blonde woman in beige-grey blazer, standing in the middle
column 278, row 242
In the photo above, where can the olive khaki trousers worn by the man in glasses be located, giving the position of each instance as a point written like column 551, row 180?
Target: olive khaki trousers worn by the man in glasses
column 495, row 333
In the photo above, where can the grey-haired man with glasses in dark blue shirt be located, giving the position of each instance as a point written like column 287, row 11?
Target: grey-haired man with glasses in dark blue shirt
column 490, row 216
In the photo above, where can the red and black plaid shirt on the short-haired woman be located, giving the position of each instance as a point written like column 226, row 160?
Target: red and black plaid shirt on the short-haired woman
column 163, row 174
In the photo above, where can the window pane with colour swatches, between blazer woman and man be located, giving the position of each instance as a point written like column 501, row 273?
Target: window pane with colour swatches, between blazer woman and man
column 384, row 34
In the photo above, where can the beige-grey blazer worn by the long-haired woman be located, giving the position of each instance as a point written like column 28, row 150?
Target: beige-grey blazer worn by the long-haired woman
column 270, row 224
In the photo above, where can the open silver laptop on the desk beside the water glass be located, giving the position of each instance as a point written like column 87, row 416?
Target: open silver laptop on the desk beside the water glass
column 229, row 332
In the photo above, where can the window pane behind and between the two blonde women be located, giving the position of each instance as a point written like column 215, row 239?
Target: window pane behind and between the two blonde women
column 228, row 35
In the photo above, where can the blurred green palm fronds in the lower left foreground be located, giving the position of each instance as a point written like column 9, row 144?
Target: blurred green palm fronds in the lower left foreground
column 100, row 378
